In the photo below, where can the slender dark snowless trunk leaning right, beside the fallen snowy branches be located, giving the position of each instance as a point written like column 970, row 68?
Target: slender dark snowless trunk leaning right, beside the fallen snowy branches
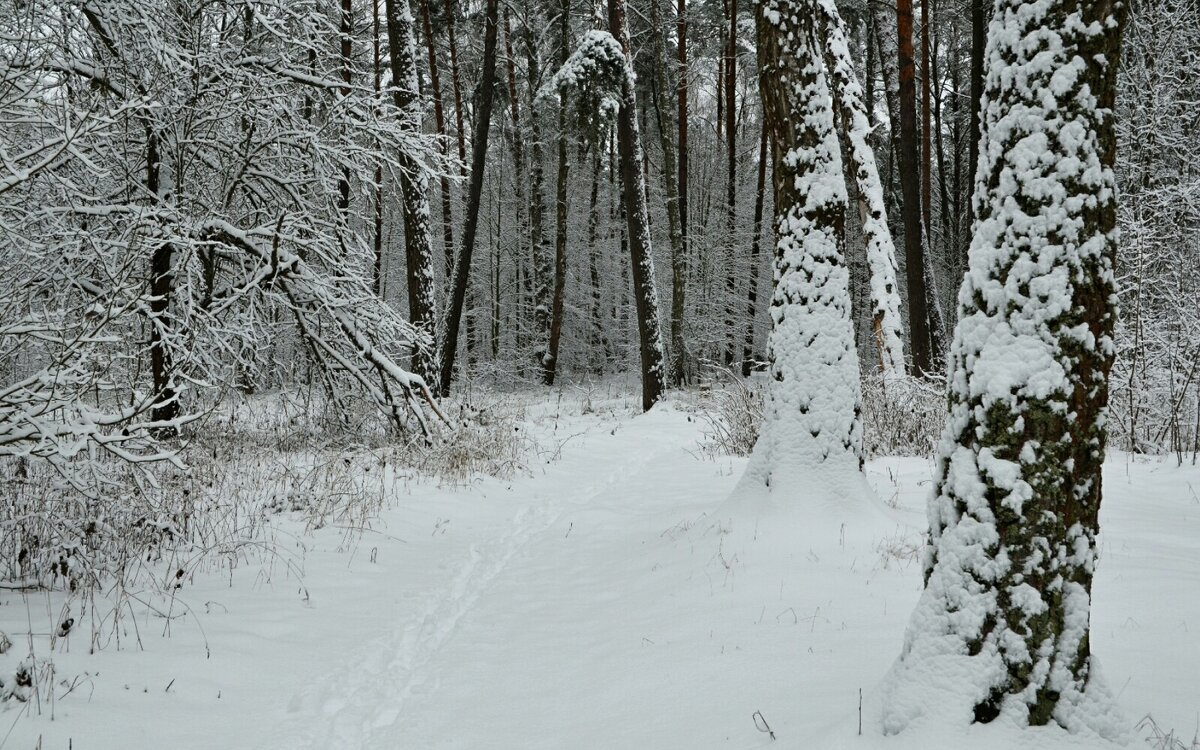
column 475, row 194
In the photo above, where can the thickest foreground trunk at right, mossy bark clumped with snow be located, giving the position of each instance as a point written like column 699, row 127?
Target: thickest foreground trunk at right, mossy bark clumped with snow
column 1003, row 627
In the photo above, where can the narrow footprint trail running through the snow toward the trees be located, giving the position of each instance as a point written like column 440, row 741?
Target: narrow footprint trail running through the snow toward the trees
column 358, row 706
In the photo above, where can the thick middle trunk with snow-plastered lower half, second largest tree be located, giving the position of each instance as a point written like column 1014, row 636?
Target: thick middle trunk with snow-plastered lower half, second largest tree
column 812, row 421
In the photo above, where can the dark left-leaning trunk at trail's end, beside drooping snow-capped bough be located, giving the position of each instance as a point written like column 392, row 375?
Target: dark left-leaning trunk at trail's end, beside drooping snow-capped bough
column 638, row 221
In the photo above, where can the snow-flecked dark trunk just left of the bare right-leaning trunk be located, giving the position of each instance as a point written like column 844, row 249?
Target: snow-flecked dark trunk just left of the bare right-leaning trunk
column 415, row 188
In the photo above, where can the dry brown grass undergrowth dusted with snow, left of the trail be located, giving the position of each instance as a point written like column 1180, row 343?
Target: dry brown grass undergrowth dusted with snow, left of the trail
column 262, row 473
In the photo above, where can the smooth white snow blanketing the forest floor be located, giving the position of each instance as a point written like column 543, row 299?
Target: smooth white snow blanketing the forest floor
column 608, row 601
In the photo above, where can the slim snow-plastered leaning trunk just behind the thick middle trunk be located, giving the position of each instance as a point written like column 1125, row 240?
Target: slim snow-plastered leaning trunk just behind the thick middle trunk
column 881, row 253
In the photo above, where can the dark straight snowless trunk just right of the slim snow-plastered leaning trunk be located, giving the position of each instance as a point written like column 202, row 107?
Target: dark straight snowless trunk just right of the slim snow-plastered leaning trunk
column 910, row 185
